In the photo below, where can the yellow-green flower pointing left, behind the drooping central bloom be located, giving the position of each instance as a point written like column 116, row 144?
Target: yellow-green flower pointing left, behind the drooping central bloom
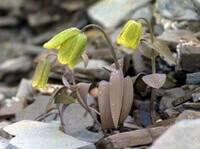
column 59, row 39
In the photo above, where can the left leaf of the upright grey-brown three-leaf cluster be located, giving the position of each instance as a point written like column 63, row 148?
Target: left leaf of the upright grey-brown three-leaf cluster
column 104, row 105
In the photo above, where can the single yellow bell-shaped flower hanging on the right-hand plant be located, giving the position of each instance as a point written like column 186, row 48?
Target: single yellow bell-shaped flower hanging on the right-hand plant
column 129, row 37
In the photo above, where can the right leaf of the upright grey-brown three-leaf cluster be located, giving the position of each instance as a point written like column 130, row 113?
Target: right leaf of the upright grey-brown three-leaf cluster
column 127, row 99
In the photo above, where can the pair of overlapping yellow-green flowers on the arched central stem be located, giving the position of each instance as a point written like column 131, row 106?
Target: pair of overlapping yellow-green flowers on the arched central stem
column 70, row 44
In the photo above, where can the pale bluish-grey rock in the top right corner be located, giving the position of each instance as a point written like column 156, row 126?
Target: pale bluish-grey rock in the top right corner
column 179, row 10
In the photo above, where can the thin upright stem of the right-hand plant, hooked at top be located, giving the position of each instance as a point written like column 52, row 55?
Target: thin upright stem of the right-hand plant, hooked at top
column 153, row 66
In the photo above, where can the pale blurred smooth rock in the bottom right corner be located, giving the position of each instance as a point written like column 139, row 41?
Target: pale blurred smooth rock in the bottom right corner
column 182, row 135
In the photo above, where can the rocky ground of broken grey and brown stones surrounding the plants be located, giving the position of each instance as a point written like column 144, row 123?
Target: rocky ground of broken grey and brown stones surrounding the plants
column 26, row 25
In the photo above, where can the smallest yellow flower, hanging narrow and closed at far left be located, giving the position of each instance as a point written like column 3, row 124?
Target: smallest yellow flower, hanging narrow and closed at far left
column 41, row 74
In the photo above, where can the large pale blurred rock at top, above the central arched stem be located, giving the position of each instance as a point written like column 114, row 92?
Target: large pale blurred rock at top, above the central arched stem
column 110, row 13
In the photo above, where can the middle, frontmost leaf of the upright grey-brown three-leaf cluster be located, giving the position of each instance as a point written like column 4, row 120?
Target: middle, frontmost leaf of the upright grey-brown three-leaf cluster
column 116, row 94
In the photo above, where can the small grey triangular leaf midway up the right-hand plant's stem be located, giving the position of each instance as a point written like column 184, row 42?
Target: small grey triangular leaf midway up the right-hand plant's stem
column 155, row 80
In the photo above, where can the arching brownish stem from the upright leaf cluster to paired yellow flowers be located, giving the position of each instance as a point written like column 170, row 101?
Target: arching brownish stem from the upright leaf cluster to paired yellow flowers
column 107, row 39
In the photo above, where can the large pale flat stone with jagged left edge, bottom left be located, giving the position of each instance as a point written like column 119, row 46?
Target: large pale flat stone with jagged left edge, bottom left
column 34, row 134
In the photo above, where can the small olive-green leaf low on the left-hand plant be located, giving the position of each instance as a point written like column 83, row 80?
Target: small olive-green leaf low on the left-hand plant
column 64, row 99
